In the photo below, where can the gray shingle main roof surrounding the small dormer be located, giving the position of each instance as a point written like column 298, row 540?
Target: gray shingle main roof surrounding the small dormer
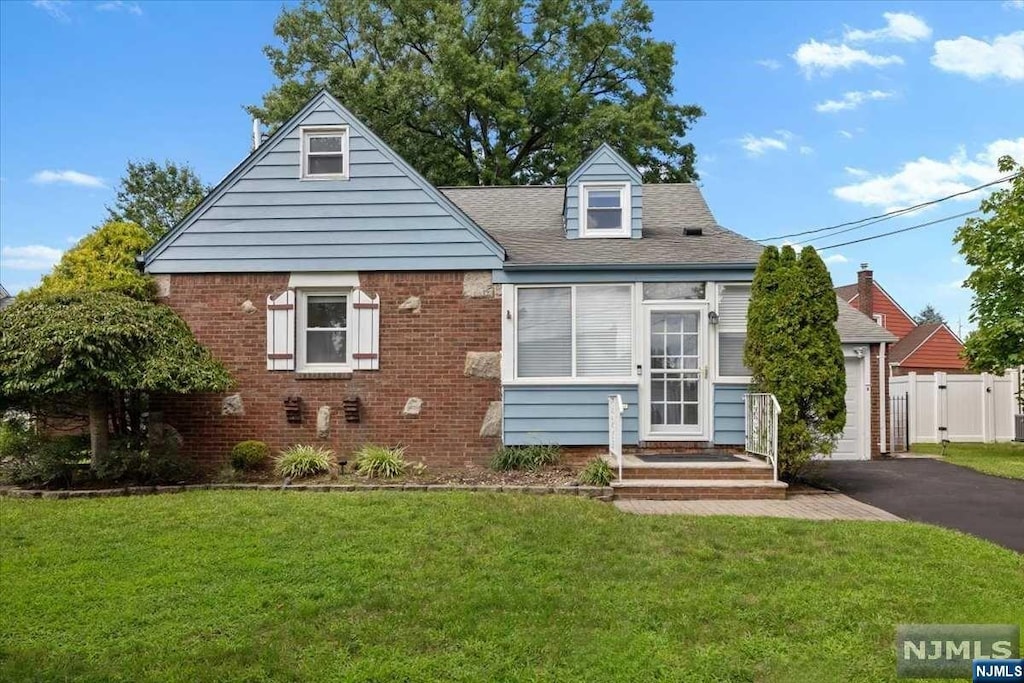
column 528, row 223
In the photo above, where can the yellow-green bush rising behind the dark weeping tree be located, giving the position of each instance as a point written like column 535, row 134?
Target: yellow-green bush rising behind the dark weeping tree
column 105, row 262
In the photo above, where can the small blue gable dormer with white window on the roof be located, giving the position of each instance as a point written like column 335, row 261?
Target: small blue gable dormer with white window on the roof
column 605, row 198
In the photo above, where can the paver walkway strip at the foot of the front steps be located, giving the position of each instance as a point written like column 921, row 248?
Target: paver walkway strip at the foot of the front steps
column 818, row 506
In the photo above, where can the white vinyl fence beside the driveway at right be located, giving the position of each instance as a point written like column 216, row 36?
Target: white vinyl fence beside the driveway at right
column 958, row 408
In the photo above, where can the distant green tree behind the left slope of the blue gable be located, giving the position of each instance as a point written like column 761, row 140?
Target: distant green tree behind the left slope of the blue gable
column 156, row 196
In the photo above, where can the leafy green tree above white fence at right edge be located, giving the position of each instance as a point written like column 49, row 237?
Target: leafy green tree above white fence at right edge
column 994, row 247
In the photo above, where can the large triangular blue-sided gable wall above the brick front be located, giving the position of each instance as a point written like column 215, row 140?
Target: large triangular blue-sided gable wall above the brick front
column 385, row 218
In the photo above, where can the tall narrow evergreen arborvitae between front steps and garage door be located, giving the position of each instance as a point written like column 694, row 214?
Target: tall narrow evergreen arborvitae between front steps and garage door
column 794, row 352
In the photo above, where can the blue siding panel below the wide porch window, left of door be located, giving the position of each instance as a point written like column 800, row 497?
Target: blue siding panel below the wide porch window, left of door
column 567, row 415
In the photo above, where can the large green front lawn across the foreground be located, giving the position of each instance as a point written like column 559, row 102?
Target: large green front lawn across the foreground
column 264, row 586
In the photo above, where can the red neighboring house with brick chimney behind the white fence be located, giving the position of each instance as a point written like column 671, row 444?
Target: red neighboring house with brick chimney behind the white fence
column 922, row 349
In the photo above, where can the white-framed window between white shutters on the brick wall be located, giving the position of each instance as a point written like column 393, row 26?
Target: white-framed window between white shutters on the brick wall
column 323, row 331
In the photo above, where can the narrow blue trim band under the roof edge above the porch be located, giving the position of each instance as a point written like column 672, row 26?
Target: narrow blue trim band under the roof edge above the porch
column 723, row 273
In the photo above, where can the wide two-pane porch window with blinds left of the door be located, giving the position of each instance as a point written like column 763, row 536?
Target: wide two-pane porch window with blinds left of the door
column 579, row 331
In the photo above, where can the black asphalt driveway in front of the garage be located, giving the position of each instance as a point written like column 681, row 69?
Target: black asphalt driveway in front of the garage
column 937, row 493
